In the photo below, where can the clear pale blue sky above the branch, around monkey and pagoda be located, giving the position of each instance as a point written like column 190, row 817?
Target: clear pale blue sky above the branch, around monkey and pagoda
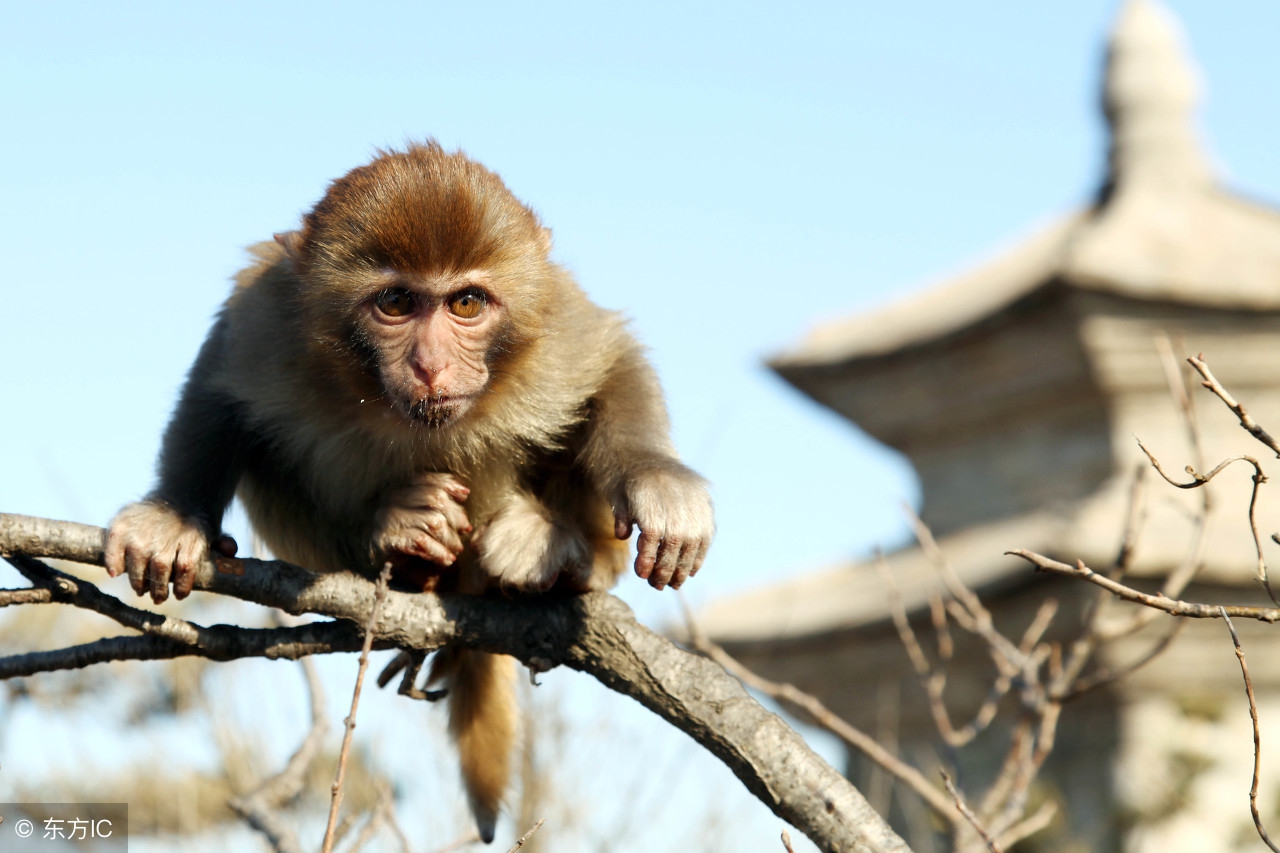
column 725, row 174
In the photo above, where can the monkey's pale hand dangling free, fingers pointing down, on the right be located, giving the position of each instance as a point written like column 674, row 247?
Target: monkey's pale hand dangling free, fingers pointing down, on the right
column 674, row 512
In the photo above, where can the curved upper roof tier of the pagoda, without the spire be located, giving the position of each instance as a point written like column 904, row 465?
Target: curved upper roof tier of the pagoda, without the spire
column 1210, row 249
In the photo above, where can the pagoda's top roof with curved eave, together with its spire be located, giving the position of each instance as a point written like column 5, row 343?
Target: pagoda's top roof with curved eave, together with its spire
column 1162, row 230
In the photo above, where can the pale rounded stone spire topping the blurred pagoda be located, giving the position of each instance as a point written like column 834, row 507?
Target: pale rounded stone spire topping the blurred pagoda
column 1150, row 98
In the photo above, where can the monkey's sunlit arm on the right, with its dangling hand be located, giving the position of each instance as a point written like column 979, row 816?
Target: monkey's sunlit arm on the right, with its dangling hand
column 632, row 460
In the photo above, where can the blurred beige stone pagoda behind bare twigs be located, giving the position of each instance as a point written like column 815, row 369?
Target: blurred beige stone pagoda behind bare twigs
column 1017, row 391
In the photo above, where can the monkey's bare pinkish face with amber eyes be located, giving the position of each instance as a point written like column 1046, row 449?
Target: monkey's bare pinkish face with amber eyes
column 433, row 339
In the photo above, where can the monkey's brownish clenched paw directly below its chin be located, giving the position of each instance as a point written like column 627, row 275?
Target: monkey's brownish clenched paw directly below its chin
column 424, row 519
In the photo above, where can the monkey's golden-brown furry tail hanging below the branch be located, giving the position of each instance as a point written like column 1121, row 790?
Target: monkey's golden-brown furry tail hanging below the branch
column 483, row 720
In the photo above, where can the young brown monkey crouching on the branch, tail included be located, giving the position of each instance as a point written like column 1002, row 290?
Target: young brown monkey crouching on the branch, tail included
column 409, row 378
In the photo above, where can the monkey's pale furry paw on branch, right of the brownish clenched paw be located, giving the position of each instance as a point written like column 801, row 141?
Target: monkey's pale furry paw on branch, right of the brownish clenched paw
column 524, row 549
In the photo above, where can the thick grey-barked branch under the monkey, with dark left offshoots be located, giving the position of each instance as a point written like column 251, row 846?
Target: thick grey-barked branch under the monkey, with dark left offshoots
column 595, row 633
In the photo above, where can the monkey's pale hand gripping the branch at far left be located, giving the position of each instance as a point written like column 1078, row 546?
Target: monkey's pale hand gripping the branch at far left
column 156, row 544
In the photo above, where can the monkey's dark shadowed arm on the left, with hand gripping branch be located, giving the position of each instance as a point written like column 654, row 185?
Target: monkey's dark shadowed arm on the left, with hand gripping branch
column 167, row 536
